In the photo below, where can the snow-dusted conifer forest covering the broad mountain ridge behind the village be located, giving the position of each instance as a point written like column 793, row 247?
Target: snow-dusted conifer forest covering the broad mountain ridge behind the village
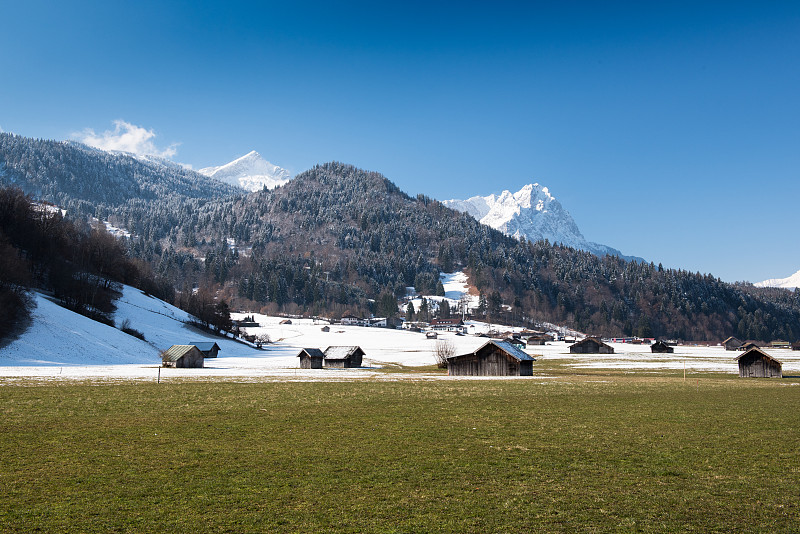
column 338, row 239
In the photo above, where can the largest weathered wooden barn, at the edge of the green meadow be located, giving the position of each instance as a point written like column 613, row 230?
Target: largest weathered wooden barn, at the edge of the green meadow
column 493, row 358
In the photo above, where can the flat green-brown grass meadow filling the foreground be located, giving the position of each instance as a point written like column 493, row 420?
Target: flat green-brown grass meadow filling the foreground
column 594, row 453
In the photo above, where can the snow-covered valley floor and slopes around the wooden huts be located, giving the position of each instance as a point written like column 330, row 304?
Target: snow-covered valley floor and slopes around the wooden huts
column 62, row 345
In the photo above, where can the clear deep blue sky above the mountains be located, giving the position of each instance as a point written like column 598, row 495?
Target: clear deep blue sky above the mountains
column 669, row 130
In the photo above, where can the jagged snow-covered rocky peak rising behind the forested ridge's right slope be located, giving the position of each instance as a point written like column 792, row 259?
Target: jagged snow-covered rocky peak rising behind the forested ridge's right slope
column 533, row 213
